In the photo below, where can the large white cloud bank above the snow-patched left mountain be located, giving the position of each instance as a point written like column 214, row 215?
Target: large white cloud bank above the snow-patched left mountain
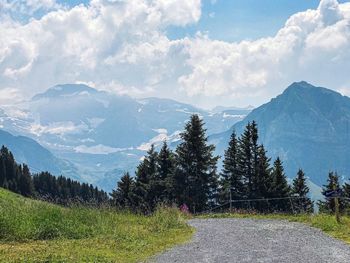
column 105, row 42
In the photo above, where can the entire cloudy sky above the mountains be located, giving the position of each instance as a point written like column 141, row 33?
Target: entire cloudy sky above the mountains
column 207, row 53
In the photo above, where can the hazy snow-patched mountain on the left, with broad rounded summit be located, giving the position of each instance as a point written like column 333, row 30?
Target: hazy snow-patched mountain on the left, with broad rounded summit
column 104, row 134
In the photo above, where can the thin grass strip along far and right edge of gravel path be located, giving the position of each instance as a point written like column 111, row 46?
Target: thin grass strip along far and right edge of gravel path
column 325, row 222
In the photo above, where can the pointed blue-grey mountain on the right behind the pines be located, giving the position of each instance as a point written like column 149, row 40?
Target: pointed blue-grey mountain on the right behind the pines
column 307, row 126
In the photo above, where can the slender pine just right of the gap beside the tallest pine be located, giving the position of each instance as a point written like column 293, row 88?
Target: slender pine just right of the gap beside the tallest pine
column 231, row 178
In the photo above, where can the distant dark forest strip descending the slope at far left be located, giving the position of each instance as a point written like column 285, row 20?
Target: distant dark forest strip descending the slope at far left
column 61, row 190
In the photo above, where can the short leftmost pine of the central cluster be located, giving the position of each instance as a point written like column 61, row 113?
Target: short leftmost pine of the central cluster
column 122, row 196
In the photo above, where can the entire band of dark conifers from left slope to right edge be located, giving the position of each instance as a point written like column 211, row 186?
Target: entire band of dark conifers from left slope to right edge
column 187, row 176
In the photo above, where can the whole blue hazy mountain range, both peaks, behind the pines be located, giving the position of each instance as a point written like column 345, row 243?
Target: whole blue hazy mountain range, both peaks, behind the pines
column 95, row 136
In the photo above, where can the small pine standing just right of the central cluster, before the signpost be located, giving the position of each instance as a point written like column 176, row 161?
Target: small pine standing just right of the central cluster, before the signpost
column 303, row 203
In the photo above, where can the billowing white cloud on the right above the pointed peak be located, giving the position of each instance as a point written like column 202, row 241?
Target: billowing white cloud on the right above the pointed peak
column 313, row 45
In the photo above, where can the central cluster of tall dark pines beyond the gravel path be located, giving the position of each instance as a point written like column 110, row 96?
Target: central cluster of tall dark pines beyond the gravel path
column 188, row 175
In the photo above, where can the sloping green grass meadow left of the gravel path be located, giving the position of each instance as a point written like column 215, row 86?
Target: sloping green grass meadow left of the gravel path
column 35, row 231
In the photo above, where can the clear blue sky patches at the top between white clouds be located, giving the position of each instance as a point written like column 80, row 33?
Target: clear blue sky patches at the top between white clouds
column 235, row 20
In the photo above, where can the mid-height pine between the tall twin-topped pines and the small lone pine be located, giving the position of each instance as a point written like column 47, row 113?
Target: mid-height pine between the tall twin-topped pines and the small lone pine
column 280, row 187
